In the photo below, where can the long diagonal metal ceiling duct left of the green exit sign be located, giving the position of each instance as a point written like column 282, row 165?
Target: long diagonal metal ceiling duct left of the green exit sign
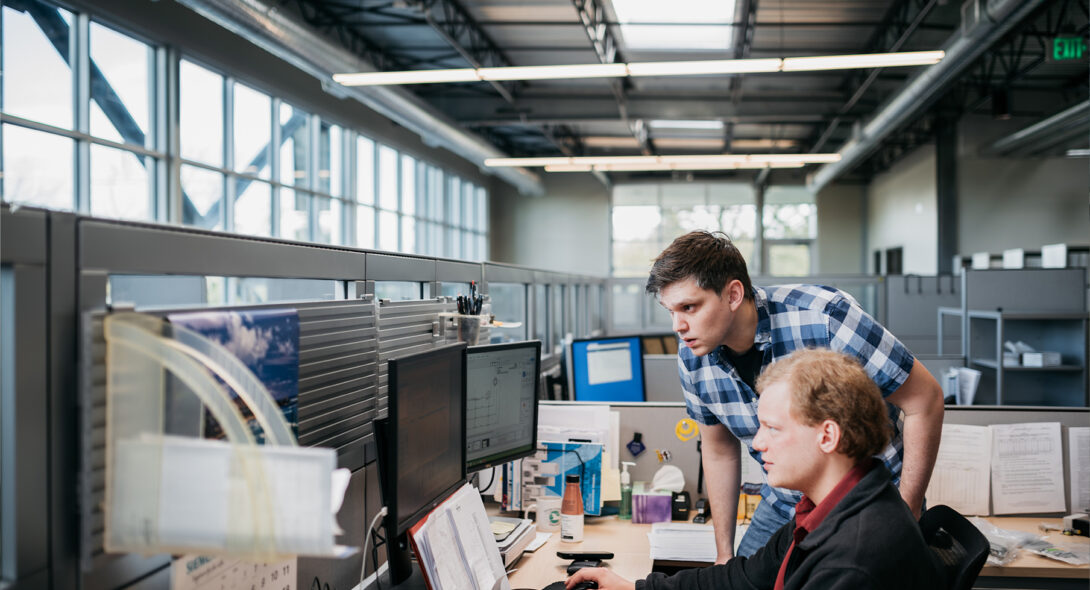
column 984, row 23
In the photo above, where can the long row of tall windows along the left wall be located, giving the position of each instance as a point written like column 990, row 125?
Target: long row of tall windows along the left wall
column 249, row 162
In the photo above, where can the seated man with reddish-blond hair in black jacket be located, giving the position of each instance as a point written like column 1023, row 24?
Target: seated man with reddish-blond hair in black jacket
column 822, row 422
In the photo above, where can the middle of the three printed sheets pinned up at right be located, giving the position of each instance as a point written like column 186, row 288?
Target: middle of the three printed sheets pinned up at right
column 1027, row 468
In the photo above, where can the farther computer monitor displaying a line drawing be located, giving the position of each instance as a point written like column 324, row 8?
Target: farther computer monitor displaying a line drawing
column 502, row 384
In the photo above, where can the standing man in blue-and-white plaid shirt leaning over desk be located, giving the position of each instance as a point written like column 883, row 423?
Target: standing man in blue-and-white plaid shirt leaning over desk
column 732, row 331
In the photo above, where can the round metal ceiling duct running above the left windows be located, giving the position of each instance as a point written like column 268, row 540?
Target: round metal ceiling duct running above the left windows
column 304, row 49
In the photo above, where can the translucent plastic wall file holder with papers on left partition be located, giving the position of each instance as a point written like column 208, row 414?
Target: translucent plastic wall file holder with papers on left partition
column 167, row 493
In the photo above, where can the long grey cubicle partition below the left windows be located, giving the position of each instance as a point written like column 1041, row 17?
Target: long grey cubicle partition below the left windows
column 60, row 274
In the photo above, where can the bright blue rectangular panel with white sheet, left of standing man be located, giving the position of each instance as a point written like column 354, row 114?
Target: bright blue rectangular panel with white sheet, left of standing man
column 608, row 369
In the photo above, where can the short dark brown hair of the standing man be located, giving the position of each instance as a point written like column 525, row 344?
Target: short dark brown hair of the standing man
column 711, row 259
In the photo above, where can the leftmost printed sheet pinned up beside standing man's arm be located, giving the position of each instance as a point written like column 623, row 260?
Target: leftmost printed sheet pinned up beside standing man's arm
column 962, row 477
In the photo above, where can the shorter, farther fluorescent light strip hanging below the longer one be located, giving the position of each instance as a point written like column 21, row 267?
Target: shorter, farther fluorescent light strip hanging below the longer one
column 710, row 160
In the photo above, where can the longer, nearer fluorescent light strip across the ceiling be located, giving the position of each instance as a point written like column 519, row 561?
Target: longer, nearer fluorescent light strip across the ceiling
column 646, row 69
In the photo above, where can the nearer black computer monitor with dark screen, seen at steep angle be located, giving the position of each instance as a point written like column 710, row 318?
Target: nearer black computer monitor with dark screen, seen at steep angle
column 427, row 431
